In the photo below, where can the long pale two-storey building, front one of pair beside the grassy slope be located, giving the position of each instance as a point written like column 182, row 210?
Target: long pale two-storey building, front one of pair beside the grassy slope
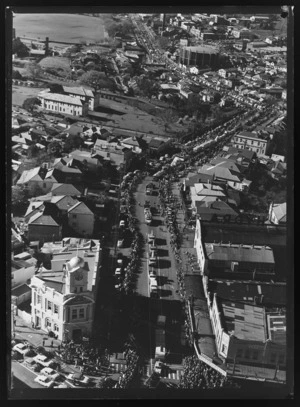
column 72, row 105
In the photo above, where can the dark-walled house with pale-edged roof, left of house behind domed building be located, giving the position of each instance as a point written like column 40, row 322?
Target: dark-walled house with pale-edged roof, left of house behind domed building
column 44, row 227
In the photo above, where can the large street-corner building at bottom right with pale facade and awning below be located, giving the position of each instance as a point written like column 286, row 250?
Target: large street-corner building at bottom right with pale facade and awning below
column 248, row 335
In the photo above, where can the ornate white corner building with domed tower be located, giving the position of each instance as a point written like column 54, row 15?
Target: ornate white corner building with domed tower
column 62, row 299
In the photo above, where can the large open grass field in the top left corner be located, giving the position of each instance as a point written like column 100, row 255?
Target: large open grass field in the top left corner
column 59, row 27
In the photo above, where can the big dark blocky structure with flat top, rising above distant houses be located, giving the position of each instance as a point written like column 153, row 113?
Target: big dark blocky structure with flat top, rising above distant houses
column 199, row 56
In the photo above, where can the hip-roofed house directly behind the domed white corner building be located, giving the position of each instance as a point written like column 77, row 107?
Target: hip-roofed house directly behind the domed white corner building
column 81, row 219
